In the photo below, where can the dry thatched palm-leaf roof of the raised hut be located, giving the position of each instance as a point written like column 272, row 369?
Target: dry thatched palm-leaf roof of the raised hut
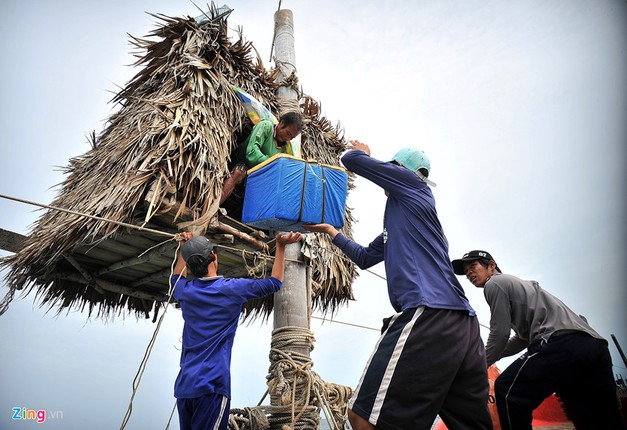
column 161, row 160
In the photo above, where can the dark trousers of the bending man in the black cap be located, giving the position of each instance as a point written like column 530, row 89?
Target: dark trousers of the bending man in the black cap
column 577, row 367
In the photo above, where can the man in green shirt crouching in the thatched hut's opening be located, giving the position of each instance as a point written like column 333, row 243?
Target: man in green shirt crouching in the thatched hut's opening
column 265, row 140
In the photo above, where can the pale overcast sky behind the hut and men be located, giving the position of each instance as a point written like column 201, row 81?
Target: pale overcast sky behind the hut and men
column 521, row 107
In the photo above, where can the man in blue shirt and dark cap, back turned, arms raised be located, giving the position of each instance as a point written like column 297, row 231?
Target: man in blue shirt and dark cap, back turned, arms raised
column 211, row 307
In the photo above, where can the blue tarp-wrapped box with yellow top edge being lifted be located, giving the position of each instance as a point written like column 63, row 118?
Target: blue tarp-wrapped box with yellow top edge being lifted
column 285, row 192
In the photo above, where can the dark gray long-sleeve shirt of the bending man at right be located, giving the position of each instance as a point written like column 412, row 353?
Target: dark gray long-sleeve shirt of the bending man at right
column 532, row 313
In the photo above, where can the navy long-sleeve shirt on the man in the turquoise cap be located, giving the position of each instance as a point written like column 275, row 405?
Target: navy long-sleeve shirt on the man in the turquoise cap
column 412, row 244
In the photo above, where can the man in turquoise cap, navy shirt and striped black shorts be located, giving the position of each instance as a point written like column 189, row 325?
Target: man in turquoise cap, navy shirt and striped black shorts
column 430, row 358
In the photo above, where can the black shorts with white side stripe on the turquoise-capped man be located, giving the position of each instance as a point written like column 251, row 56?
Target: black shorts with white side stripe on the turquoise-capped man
column 427, row 362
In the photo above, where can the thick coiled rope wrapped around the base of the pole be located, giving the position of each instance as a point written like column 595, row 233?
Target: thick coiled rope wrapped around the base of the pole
column 297, row 393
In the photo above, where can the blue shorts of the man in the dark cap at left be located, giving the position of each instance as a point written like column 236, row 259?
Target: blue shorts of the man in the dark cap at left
column 210, row 412
